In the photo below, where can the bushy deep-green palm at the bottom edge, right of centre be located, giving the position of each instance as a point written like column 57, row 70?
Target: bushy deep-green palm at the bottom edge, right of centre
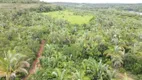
column 99, row 70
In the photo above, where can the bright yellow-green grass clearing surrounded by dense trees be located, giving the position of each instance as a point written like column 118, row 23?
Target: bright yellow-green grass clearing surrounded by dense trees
column 70, row 17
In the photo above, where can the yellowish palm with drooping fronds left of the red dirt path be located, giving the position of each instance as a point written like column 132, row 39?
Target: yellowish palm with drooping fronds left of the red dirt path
column 11, row 64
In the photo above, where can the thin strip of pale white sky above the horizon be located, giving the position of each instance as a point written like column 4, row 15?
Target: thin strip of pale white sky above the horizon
column 96, row 1
